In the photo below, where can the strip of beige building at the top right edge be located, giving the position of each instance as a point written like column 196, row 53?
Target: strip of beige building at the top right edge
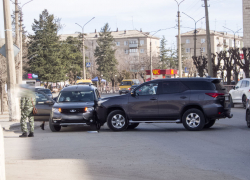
column 246, row 22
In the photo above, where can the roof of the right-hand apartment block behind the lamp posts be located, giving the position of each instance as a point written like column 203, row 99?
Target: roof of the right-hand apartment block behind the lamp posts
column 202, row 32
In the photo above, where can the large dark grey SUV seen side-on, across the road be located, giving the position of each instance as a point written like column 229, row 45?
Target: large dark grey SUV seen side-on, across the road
column 194, row 102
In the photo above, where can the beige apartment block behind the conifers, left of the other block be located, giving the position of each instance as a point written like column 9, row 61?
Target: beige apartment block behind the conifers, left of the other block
column 131, row 46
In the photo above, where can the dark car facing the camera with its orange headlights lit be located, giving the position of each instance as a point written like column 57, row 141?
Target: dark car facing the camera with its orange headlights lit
column 75, row 105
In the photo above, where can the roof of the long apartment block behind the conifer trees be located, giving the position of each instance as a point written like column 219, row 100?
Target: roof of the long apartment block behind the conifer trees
column 115, row 34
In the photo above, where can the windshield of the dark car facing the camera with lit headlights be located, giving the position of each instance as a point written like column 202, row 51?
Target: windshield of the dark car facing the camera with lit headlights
column 76, row 96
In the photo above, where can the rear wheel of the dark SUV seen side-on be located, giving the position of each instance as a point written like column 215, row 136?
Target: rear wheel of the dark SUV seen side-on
column 193, row 120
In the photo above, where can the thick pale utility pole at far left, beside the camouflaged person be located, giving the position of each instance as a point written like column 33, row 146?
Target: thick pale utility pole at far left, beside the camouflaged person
column 11, row 73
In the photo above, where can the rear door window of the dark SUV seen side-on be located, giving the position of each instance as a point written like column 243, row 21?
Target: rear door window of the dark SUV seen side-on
column 172, row 87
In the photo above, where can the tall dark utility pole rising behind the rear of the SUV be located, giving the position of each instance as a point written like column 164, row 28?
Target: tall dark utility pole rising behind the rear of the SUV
column 210, row 69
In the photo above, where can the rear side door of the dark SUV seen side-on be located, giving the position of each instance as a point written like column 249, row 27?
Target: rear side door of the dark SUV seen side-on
column 172, row 98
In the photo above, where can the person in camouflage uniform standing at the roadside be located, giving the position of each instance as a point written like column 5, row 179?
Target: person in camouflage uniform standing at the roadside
column 27, row 112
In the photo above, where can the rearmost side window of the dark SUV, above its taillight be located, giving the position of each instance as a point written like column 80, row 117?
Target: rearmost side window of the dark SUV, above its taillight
column 199, row 85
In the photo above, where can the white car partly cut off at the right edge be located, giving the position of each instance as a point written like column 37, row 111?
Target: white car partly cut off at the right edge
column 241, row 91
